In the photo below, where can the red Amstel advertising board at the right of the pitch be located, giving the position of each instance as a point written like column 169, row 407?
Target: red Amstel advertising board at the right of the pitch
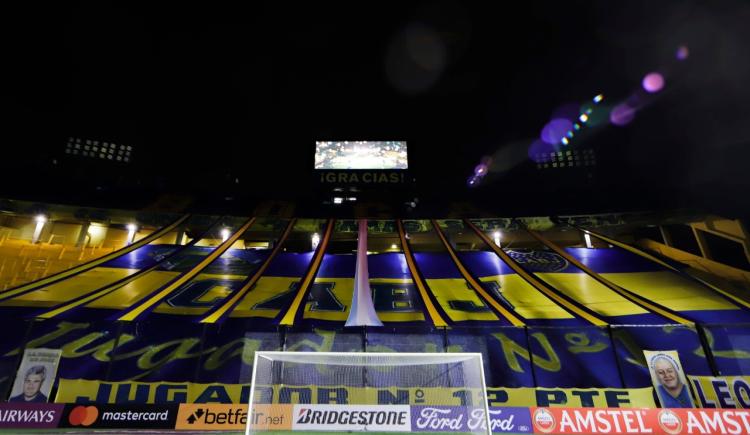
column 639, row 421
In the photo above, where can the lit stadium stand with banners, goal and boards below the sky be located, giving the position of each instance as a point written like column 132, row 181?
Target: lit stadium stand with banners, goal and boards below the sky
column 163, row 314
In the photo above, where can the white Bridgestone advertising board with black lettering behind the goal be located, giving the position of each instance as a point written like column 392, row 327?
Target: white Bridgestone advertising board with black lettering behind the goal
column 352, row 417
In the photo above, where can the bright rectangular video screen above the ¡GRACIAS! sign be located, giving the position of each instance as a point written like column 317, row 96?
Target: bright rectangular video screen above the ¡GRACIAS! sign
column 361, row 155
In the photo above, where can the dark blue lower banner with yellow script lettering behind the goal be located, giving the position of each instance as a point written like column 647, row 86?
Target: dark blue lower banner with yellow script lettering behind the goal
column 156, row 351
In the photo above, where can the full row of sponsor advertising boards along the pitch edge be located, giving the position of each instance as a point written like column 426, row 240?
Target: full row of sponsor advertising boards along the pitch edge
column 305, row 419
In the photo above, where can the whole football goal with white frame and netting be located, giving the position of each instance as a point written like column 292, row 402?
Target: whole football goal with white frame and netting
column 308, row 392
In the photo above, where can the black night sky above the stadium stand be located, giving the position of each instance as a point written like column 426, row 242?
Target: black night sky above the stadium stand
column 212, row 93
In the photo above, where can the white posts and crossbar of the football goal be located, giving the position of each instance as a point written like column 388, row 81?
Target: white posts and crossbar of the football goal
column 311, row 357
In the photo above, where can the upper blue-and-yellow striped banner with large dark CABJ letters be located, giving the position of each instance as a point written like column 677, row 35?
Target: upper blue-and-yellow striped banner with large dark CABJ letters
column 460, row 304
